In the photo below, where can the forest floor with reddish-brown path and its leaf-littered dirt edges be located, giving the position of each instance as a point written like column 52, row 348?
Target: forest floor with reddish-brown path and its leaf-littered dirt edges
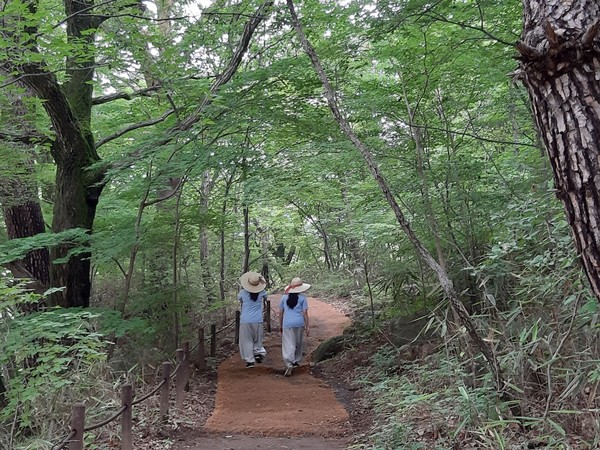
column 258, row 408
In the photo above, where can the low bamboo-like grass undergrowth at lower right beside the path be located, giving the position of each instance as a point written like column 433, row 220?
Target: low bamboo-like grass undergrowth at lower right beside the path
column 433, row 404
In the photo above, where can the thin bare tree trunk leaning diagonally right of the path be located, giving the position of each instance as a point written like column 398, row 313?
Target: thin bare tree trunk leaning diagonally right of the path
column 502, row 388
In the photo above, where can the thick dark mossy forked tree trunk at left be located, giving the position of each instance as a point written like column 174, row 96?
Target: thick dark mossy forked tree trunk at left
column 78, row 187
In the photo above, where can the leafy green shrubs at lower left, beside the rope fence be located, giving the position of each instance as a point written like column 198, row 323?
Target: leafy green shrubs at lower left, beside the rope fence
column 52, row 354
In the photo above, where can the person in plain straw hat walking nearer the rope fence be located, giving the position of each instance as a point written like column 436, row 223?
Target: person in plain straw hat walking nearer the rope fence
column 251, row 298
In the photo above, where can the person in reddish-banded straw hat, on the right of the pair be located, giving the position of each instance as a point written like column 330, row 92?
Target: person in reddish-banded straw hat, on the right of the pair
column 293, row 323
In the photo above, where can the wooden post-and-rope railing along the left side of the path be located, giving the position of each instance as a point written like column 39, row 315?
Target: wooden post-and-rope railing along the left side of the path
column 181, row 376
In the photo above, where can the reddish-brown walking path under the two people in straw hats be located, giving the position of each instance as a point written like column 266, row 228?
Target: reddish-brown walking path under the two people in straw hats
column 259, row 408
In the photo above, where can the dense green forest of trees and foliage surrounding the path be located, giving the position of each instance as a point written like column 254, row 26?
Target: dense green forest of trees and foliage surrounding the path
column 386, row 152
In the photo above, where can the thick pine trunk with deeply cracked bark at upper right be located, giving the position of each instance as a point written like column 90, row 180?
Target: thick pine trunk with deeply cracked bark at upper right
column 560, row 67
